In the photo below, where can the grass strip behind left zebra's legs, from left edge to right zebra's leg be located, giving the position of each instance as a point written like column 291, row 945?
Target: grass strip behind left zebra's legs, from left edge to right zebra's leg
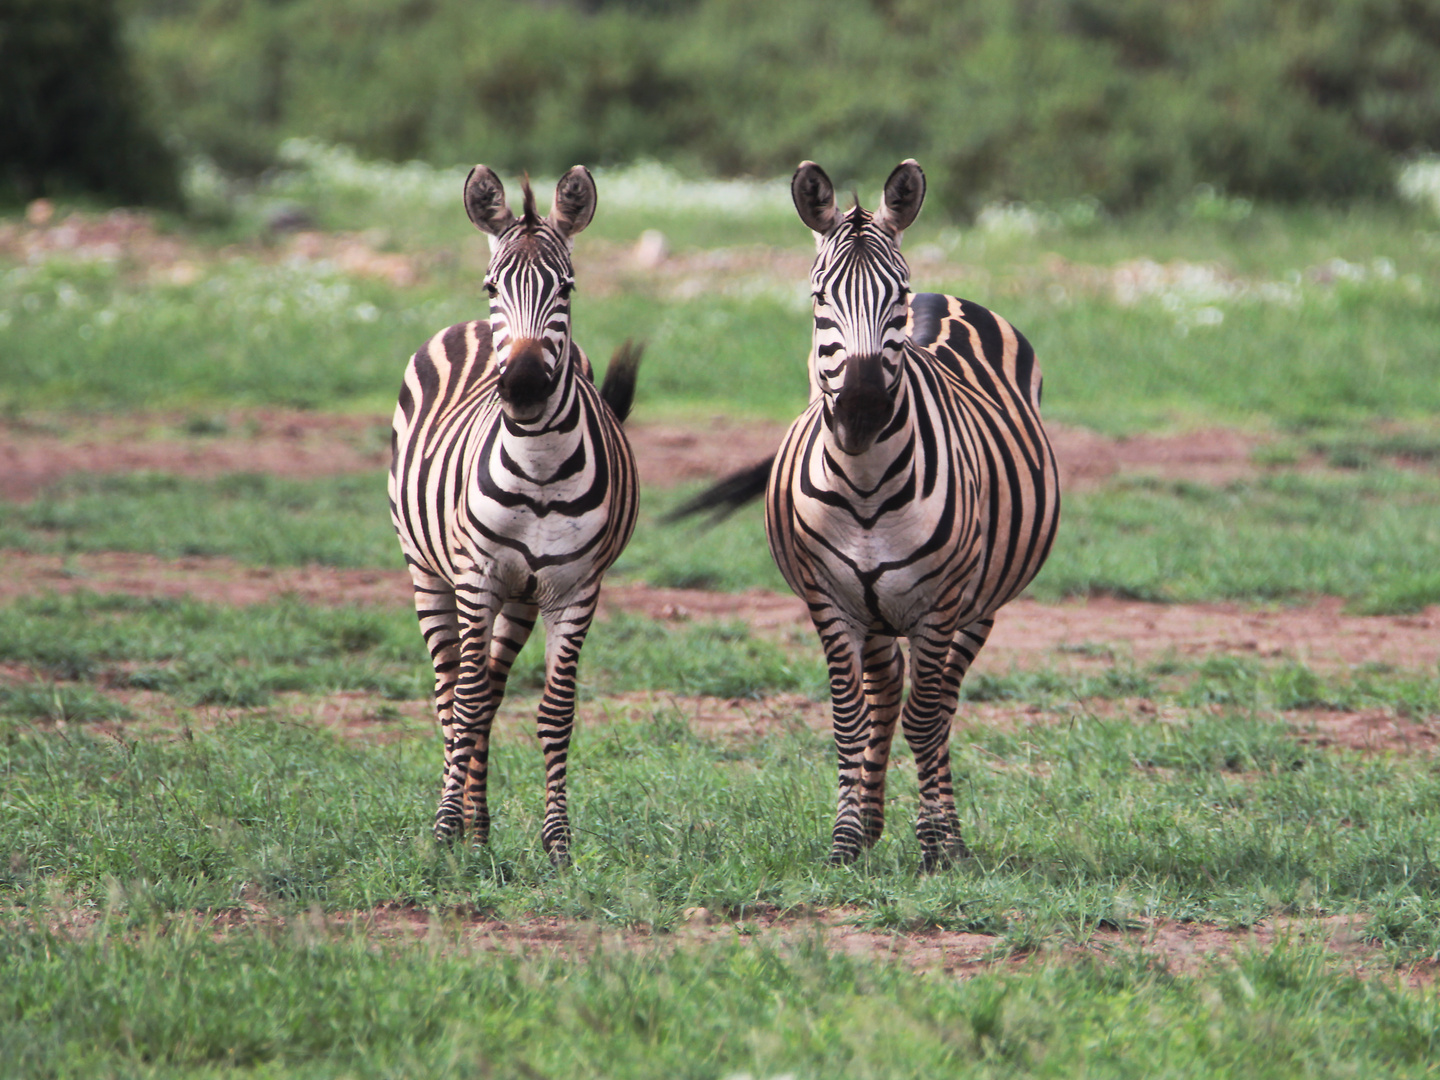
column 241, row 657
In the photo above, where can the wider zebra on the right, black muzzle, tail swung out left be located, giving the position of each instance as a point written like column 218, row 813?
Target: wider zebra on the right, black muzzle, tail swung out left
column 914, row 498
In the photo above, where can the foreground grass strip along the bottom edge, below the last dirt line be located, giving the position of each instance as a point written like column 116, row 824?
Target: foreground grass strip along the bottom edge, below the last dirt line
column 310, row 1003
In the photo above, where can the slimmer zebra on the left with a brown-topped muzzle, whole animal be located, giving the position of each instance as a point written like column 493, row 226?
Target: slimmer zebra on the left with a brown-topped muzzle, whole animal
column 512, row 490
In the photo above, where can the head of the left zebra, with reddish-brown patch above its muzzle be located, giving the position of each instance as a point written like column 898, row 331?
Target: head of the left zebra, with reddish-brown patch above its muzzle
column 529, row 282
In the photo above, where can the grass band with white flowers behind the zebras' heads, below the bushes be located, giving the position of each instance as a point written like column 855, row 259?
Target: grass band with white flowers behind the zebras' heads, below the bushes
column 1295, row 345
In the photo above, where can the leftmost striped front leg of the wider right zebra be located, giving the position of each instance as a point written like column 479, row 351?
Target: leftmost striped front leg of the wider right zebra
column 843, row 644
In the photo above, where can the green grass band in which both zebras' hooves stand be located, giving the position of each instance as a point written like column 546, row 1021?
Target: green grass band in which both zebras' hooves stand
column 1218, row 817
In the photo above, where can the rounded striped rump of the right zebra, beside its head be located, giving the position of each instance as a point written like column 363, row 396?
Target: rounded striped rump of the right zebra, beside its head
column 963, row 335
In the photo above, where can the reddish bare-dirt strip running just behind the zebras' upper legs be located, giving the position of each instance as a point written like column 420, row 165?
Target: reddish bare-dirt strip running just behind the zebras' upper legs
column 1081, row 634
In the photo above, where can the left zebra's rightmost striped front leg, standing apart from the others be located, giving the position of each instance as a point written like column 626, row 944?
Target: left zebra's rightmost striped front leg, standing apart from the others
column 555, row 724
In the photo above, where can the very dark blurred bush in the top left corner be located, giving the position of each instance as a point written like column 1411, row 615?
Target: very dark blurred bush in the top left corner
column 70, row 109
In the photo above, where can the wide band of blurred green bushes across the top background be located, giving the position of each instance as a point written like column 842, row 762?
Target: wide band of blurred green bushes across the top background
column 1035, row 100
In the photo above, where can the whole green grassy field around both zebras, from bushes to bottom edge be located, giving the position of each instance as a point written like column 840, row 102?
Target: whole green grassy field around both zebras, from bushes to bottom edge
column 198, row 863
